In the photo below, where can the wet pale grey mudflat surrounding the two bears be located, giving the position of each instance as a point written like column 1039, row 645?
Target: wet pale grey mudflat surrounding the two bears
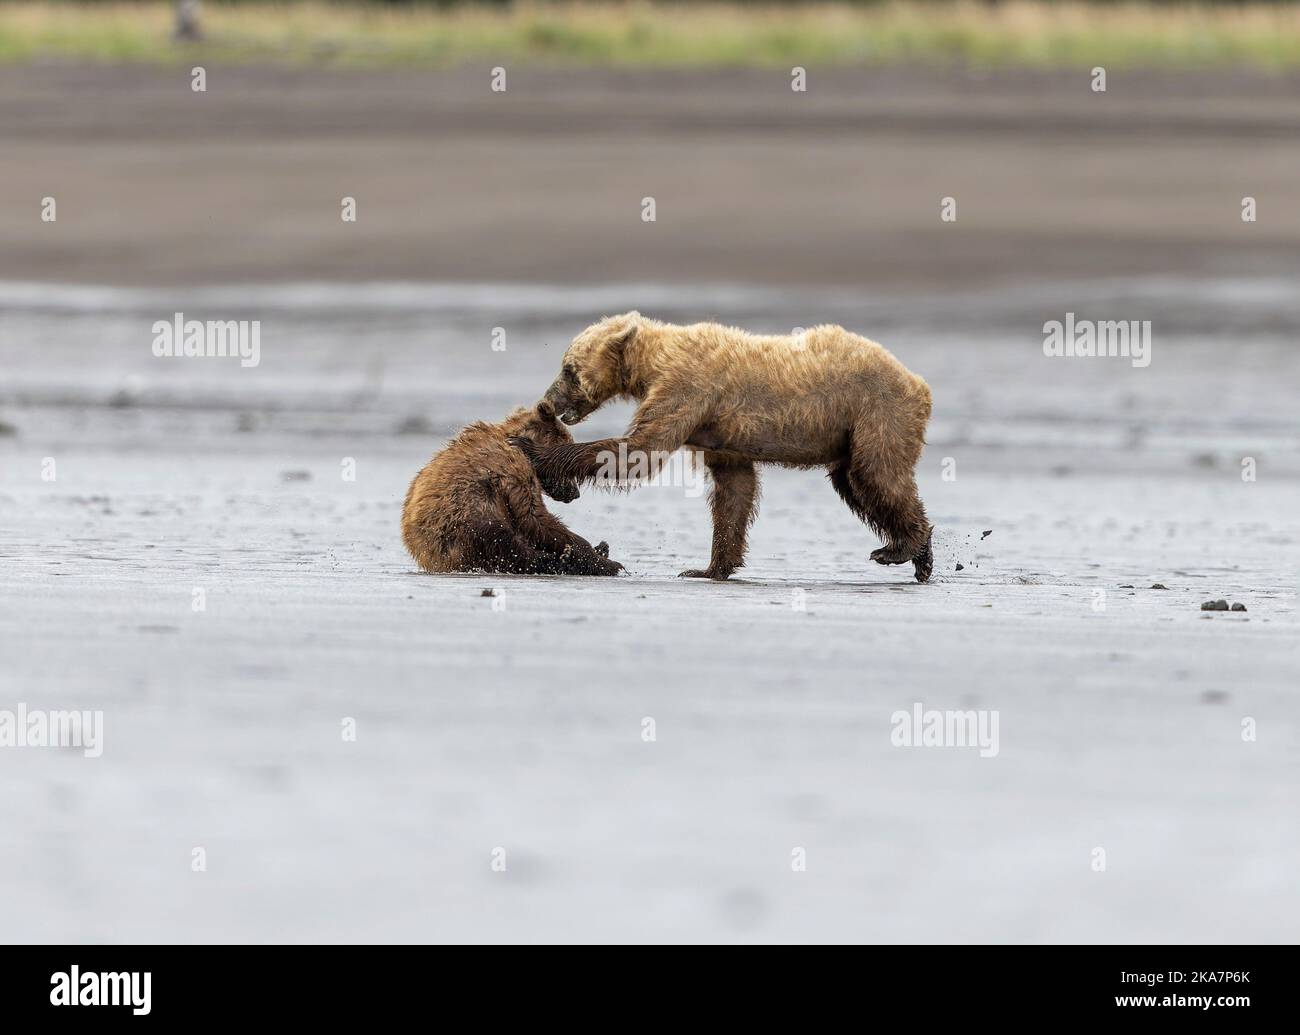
column 517, row 721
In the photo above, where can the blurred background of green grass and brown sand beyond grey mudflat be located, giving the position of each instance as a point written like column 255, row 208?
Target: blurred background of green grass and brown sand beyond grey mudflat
column 608, row 103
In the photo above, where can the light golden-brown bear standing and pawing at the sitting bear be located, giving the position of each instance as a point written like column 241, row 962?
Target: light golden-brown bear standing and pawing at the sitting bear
column 822, row 399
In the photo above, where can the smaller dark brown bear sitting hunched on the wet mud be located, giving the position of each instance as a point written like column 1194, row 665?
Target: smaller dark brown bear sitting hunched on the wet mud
column 478, row 506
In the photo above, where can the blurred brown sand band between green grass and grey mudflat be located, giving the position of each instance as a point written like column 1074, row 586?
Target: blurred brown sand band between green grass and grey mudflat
column 753, row 184
